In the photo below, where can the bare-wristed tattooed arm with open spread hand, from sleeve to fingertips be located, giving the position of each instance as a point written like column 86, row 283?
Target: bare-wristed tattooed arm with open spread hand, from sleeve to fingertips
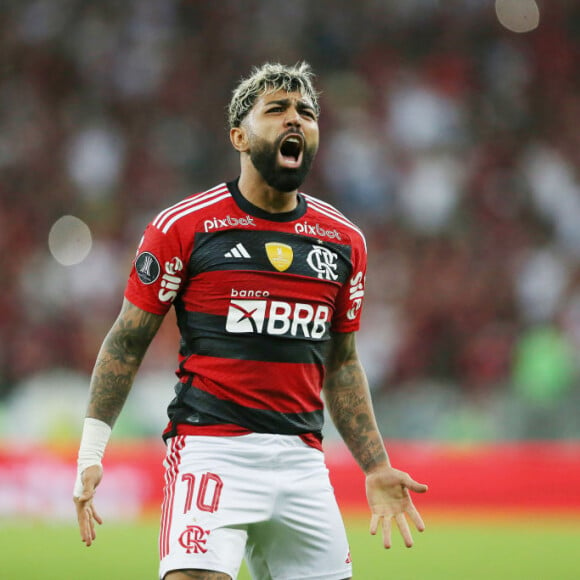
column 349, row 404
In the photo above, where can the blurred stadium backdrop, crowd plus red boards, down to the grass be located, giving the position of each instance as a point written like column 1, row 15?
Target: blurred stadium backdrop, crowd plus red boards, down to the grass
column 450, row 139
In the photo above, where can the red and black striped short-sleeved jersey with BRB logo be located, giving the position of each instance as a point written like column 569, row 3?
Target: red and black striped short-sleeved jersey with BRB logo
column 257, row 296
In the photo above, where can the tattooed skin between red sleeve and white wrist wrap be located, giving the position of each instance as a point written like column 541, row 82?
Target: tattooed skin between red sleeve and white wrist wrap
column 118, row 361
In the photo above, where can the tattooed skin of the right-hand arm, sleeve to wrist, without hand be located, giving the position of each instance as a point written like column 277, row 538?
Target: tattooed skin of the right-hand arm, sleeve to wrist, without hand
column 349, row 403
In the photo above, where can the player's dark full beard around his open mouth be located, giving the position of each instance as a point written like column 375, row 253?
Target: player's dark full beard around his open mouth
column 264, row 156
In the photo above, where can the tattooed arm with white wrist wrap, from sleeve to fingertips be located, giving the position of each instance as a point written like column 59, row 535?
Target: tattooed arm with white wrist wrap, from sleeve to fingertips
column 117, row 363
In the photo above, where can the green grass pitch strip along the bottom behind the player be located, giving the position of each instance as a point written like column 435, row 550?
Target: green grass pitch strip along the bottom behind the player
column 451, row 548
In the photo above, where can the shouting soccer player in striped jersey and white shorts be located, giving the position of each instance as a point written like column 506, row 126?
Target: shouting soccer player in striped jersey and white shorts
column 267, row 283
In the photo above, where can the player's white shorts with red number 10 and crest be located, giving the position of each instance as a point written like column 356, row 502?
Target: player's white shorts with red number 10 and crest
column 266, row 496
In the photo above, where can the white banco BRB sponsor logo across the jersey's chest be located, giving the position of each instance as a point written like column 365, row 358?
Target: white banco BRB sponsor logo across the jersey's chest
column 274, row 317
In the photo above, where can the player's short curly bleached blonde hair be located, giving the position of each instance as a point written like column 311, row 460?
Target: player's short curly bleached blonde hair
column 271, row 77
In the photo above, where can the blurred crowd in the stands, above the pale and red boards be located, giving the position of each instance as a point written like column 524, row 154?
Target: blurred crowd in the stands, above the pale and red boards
column 450, row 140
